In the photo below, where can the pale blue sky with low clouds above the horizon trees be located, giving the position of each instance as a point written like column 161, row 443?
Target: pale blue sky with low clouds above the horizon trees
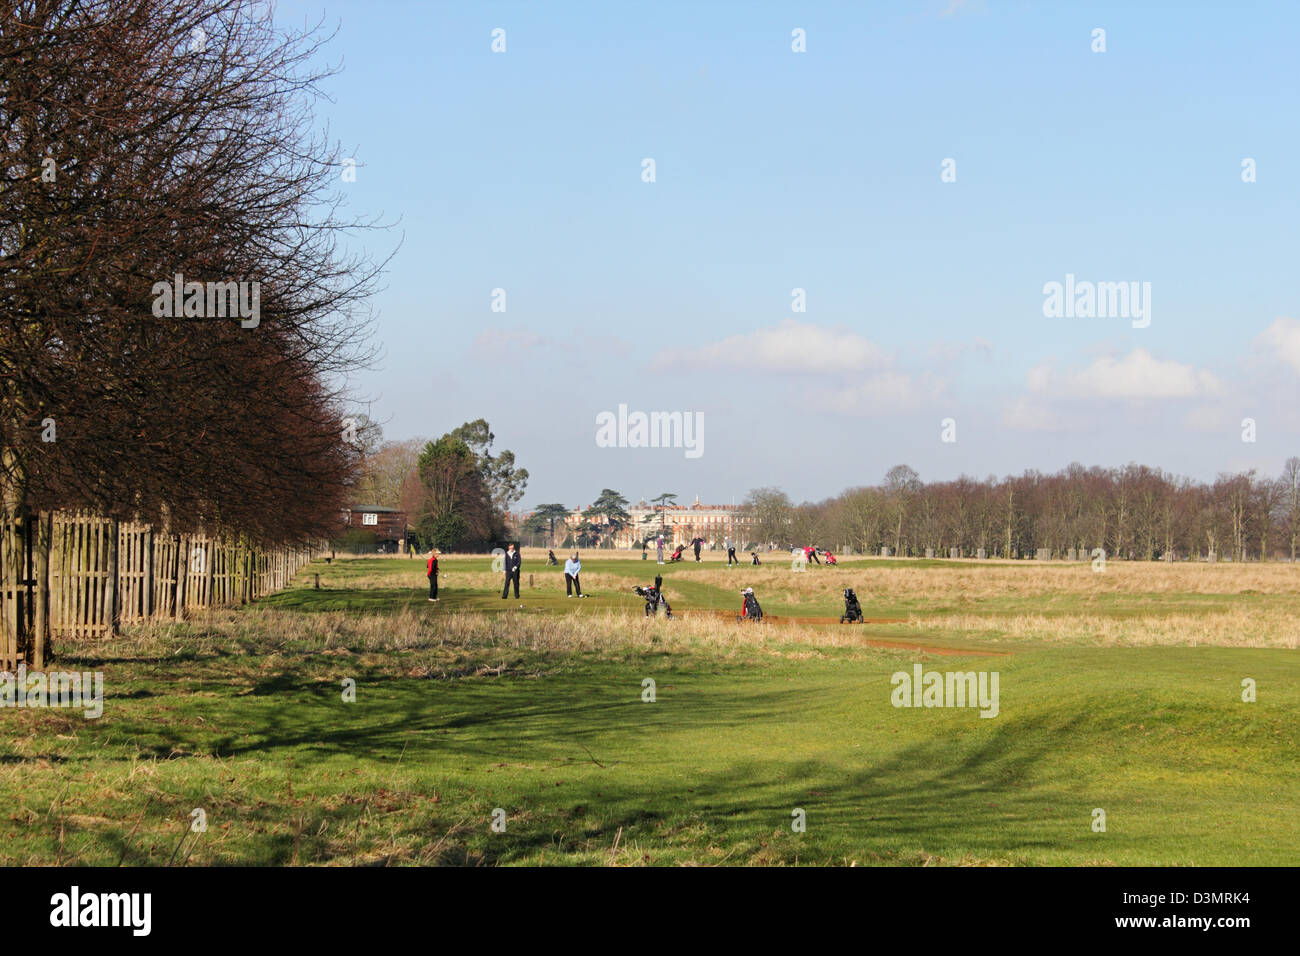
column 821, row 171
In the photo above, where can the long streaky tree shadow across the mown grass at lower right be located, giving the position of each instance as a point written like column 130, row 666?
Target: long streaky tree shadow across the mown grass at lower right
column 1000, row 793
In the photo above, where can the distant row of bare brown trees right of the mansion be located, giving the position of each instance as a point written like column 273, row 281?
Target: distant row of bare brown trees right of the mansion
column 1134, row 512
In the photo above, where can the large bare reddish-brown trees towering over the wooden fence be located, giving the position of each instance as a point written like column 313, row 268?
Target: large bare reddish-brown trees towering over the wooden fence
column 153, row 145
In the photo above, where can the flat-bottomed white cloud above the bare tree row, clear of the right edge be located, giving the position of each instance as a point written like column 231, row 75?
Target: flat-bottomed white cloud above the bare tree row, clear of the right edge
column 1137, row 377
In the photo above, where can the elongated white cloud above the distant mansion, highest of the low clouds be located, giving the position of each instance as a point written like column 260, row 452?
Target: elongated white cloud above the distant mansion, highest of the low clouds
column 791, row 347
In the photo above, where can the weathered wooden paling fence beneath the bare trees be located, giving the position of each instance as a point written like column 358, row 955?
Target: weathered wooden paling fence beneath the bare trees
column 99, row 574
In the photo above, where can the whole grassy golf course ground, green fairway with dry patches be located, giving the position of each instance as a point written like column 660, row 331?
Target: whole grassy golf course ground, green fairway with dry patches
column 475, row 706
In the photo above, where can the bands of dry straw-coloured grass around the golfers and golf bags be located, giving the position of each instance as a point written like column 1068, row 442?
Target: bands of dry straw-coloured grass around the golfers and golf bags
column 1243, row 624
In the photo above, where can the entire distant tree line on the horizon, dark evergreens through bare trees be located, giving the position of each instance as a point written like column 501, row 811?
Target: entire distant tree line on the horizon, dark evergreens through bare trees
column 1133, row 512
